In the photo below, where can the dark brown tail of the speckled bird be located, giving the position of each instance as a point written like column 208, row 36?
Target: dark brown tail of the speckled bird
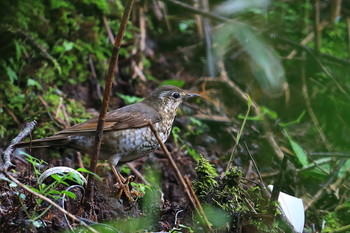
column 53, row 141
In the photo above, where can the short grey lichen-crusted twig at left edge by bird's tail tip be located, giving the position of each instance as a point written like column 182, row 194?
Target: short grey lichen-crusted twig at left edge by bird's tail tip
column 10, row 149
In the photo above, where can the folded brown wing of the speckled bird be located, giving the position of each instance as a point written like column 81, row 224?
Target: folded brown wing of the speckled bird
column 131, row 116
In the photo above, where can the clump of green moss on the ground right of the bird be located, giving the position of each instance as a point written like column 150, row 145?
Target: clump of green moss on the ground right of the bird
column 235, row 196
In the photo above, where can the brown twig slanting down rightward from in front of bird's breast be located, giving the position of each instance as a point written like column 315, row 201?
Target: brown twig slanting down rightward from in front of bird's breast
column 178, row 175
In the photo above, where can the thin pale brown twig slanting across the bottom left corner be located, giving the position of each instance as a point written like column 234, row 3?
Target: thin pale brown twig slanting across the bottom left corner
column 49, row 201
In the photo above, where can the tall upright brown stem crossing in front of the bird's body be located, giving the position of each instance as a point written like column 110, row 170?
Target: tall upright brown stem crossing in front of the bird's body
column 106, row 94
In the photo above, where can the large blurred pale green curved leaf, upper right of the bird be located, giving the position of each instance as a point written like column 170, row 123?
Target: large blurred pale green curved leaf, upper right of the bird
column 263, row 59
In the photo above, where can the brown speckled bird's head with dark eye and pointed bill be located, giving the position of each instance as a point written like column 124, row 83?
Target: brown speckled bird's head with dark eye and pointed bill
column 168, row 98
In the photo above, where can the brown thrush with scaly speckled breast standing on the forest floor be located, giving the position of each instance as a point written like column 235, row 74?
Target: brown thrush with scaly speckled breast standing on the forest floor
column 126, row 133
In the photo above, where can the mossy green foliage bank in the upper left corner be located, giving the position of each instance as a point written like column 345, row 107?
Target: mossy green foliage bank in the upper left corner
column 45, row 47
